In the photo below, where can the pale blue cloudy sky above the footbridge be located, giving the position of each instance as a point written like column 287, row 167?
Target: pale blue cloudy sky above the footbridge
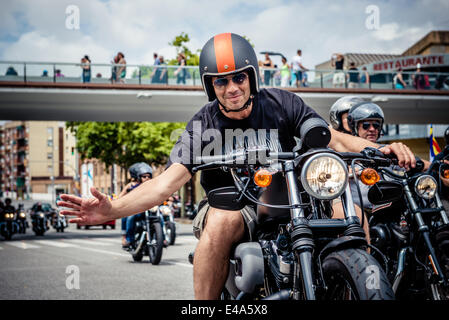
column 42, row 30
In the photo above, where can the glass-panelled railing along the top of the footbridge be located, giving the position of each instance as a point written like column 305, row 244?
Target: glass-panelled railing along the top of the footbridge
column 189, row 75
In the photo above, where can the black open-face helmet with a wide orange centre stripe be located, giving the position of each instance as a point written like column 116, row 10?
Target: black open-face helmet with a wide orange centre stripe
column 225, row 54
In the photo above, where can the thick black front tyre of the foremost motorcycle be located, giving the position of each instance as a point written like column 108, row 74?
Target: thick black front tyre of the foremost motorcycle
column 353, row 274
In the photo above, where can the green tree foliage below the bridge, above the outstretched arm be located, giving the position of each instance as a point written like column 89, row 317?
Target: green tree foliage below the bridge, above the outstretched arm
column 124, row 143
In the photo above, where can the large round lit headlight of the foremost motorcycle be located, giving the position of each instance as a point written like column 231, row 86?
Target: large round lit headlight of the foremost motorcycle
column 324, row 176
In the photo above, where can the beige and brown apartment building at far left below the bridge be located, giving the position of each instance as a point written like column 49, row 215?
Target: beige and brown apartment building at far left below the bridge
column 38, row 160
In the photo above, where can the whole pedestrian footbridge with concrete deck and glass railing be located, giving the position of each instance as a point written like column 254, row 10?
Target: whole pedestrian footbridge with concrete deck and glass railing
column 28, row 93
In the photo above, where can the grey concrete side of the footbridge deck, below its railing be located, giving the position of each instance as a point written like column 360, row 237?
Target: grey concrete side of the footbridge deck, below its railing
column 117, row 103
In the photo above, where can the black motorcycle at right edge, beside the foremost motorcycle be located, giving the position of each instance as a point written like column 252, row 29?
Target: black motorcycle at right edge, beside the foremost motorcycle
column 411, row 228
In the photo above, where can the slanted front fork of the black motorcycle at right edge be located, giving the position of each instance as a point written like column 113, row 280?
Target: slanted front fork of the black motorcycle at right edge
column 424, row 230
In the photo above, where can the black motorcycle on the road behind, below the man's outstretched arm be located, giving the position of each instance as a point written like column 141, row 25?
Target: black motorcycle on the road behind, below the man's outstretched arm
column 149, row 237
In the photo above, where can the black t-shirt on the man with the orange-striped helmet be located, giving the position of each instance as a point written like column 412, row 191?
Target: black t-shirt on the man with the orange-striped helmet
column 275, row 119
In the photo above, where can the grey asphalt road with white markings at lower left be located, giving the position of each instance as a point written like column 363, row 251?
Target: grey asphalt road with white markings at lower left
column 91, row 265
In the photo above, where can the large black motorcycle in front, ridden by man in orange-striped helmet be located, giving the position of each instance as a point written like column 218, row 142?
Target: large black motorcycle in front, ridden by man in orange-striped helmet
column 300, row 252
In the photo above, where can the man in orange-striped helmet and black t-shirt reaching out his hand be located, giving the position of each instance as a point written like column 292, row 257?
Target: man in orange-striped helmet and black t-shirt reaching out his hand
column 229, row 72
